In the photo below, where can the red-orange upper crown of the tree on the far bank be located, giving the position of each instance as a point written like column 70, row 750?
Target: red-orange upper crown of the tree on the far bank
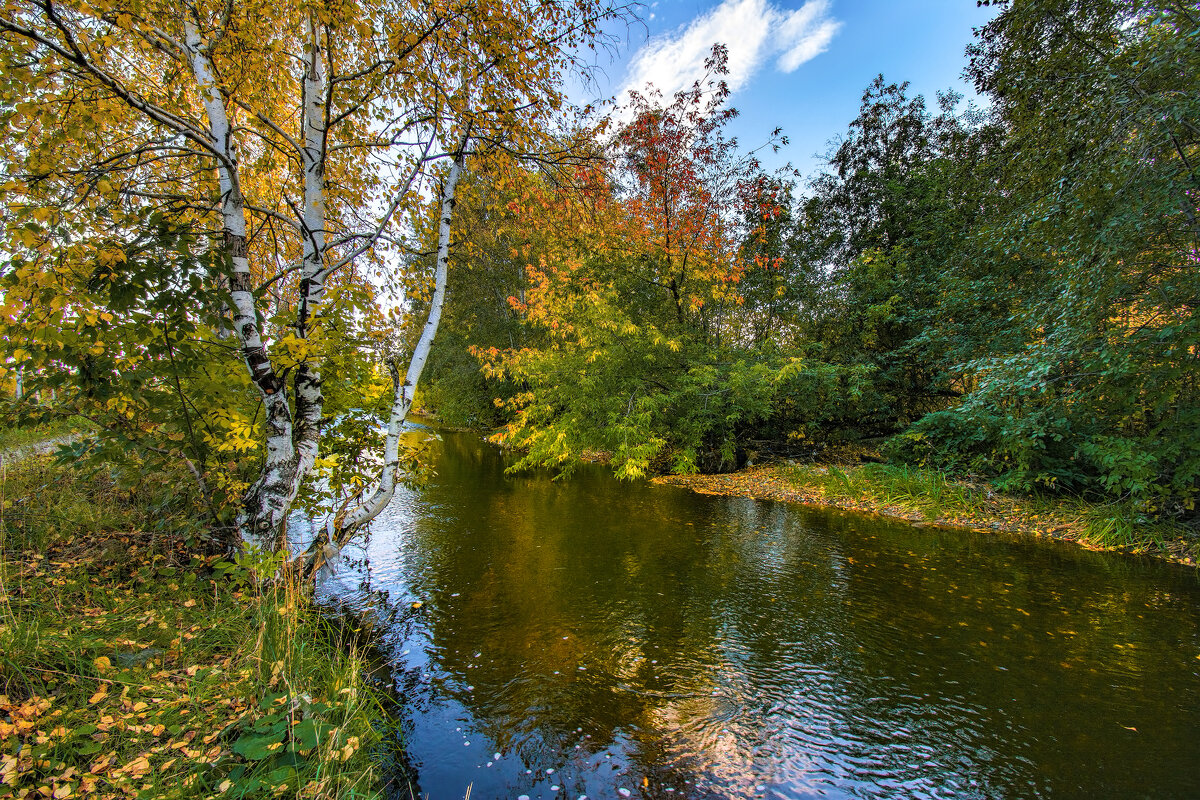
column 691, row 199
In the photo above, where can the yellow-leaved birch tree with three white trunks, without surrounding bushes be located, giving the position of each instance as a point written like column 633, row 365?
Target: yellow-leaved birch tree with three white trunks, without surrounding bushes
column 298, row 136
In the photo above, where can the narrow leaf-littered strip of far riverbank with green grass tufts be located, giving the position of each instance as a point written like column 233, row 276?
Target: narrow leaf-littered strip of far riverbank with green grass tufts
column 929, row 498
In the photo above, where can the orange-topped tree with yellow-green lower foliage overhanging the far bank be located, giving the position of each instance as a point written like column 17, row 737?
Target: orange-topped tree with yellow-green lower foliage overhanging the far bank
column 635, row 340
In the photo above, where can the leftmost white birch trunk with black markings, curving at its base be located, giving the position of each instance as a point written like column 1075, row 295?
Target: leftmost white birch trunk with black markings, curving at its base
column 267, row 503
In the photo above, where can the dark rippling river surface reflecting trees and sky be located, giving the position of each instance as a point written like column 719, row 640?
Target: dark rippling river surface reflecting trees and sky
column 590, row 637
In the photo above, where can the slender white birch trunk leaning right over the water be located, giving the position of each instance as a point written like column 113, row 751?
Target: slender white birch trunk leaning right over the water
column 345, row 525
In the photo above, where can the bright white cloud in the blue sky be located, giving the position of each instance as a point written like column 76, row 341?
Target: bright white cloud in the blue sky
column 753, row 31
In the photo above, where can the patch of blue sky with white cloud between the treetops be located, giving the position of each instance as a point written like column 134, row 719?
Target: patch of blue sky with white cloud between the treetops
column 800, row 65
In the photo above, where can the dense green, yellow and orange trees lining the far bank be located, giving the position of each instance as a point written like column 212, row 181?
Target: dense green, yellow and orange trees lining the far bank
column 1007, row 291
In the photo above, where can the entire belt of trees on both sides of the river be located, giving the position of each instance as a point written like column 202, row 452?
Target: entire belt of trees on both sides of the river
column 1003, row 290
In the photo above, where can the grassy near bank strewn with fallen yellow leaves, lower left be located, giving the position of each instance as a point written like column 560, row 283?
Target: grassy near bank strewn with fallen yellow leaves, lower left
column 131, row 667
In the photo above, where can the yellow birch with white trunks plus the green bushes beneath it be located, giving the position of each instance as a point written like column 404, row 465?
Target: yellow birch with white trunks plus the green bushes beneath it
column 269, row 165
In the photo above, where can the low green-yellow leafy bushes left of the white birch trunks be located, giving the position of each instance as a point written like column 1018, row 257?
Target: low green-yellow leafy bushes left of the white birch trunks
column 124, row 332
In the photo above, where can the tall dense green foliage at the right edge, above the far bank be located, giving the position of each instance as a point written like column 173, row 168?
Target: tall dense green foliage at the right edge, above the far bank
column 1100, row 393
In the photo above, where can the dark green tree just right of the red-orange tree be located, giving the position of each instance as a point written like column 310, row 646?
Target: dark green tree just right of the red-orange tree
column 904, row 191
